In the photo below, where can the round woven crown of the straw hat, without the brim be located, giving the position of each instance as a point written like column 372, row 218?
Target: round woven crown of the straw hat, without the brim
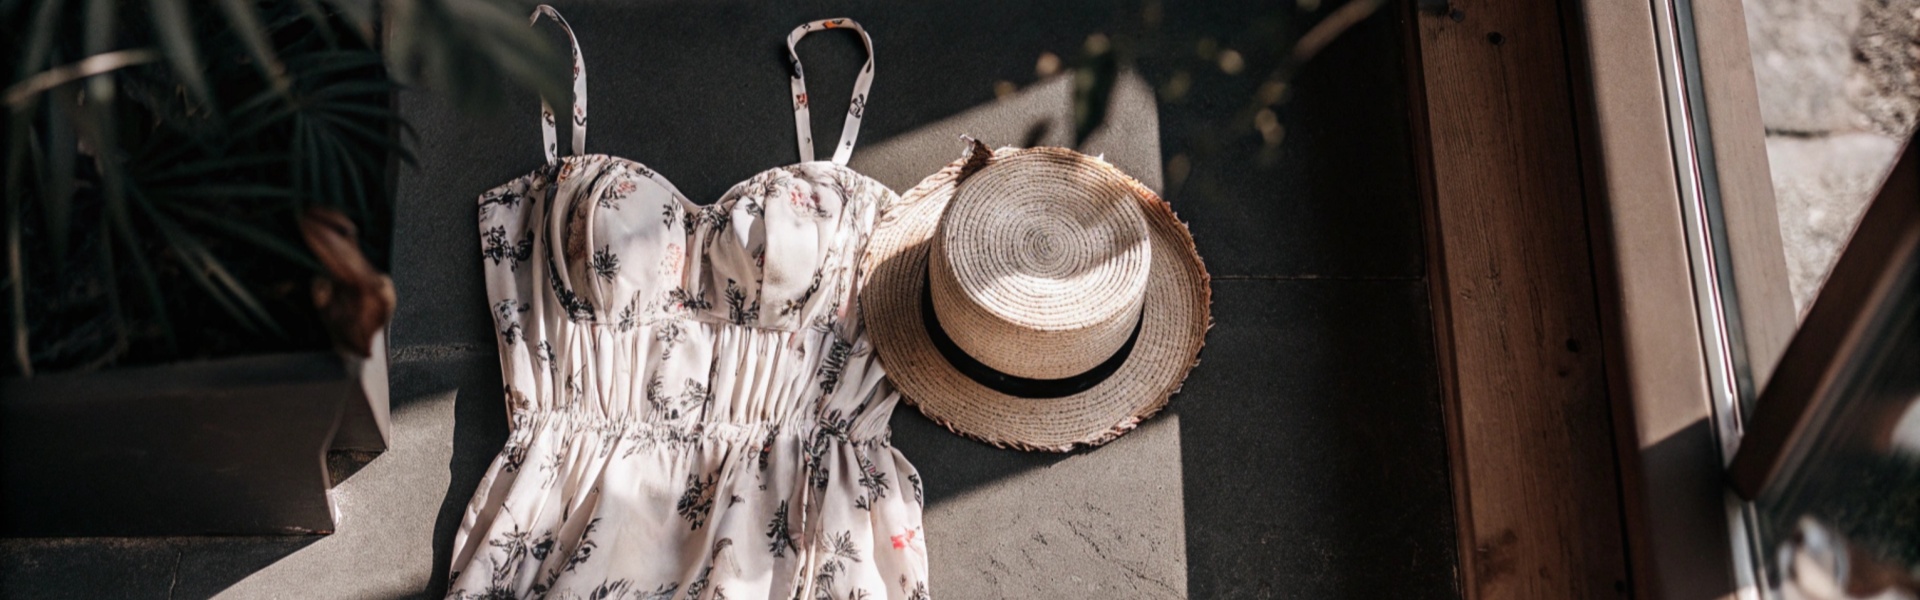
column 1042, row 266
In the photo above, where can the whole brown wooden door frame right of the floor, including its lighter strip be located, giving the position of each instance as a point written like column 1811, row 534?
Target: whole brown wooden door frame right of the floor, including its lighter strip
column 1572, row 355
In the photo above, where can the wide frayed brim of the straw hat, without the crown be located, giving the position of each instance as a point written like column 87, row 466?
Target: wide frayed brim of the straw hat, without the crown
column 1174, row 328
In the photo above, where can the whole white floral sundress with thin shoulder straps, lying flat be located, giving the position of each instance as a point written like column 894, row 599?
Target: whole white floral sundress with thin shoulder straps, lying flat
column 696, row 412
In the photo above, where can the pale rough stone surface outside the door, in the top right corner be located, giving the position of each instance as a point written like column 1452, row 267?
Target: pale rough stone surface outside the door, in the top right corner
column 1840, row 86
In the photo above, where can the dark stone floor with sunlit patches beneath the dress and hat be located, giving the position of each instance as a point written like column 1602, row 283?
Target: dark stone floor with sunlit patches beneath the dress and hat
column 1305, row 457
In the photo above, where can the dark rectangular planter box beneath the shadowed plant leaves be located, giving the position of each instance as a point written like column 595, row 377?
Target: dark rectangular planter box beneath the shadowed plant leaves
column 226, row 447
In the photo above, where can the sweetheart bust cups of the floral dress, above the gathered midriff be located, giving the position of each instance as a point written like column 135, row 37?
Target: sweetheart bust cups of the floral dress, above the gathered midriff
column 621, row 247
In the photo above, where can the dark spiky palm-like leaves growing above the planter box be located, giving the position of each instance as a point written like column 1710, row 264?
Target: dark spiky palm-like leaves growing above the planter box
column 158, row 155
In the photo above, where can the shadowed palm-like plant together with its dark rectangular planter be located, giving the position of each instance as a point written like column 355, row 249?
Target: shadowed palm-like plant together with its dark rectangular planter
column 197, row 226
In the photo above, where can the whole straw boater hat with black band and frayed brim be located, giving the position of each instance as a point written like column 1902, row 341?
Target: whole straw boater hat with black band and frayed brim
column 1036, row 299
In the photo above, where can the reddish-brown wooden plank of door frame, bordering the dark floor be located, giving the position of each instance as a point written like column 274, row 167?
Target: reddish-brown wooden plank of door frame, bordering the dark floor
column 1514, row 301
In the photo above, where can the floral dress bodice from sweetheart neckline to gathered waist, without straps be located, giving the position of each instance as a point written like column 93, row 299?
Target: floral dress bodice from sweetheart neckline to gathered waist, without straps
column 613, row 293
